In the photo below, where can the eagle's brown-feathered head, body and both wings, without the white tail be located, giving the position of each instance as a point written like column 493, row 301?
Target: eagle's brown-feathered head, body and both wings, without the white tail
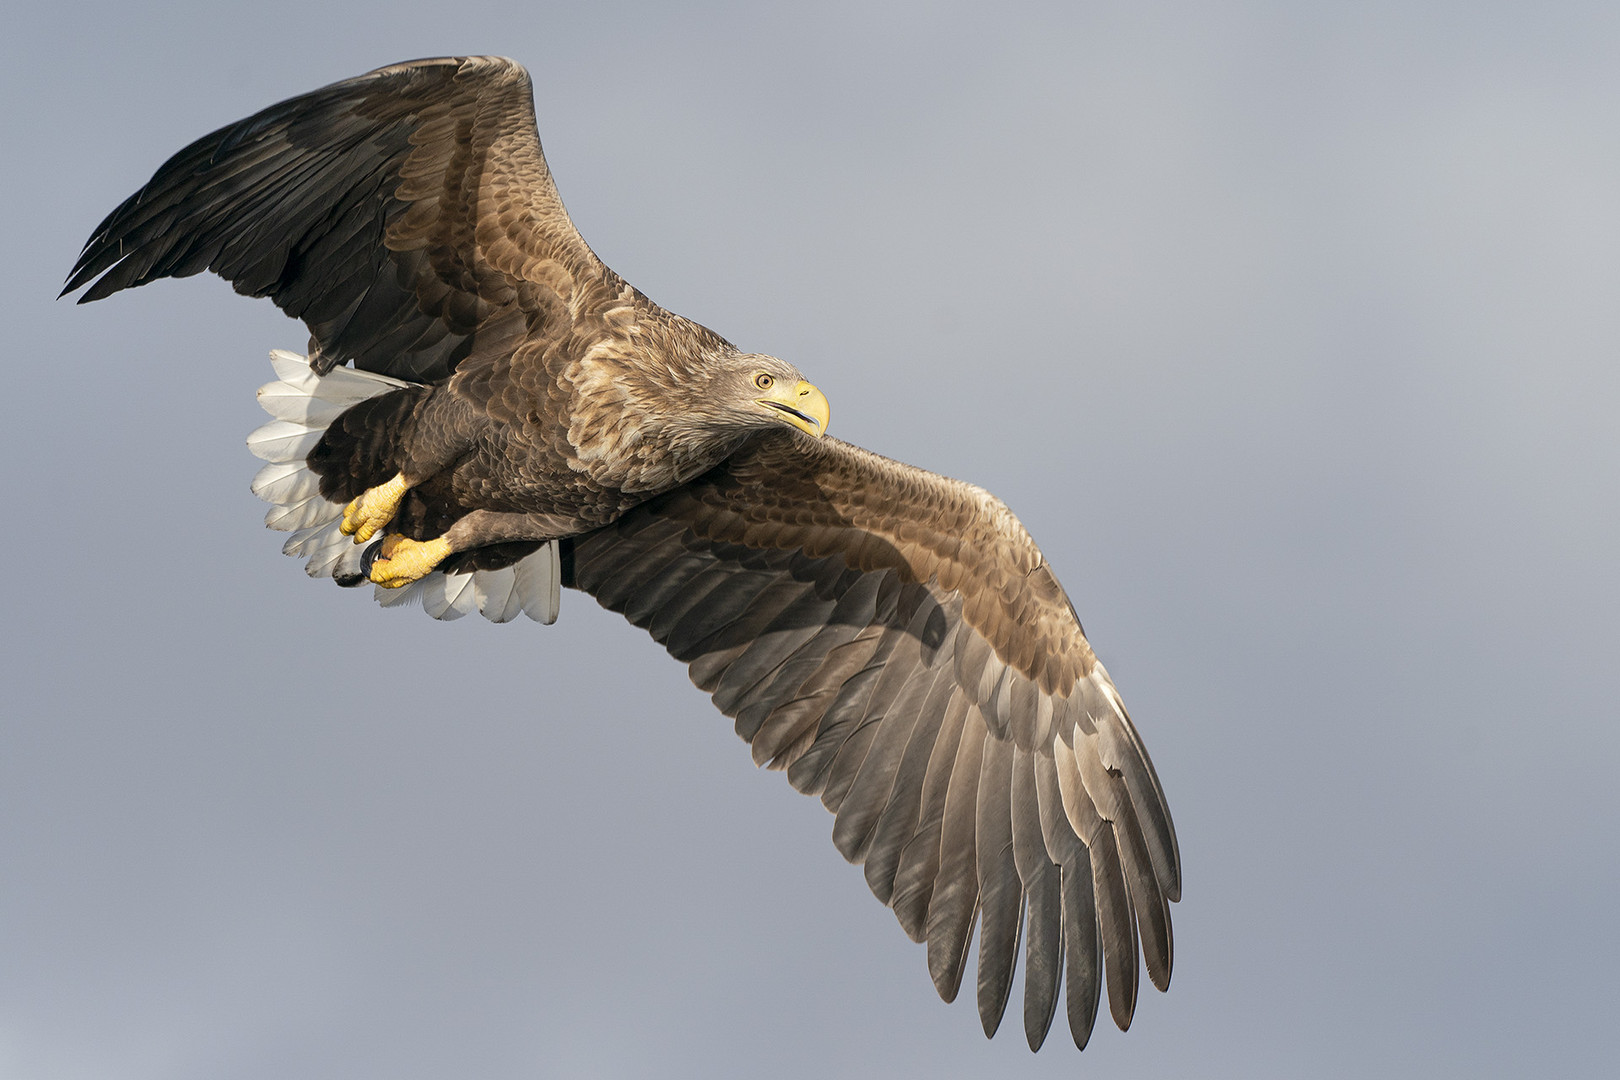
column 892, row 639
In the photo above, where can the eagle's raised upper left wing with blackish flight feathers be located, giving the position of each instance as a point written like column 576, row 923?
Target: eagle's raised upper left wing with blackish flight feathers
column 407, row 216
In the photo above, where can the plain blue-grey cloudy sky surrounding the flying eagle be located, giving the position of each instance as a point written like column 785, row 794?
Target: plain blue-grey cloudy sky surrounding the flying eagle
column 1290, row 333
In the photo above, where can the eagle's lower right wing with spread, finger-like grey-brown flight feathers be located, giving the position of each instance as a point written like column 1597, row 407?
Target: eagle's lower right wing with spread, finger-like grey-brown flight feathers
column 897, row 644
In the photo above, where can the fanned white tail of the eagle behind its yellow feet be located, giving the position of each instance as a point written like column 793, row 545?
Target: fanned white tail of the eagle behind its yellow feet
column 302, row 404
